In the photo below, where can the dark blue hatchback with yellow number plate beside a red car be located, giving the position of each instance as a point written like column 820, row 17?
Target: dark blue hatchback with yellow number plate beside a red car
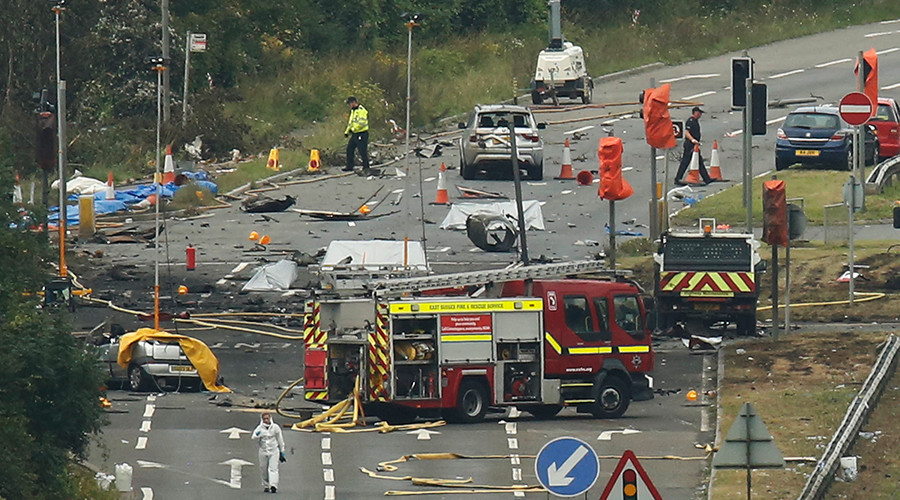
column 816, row 135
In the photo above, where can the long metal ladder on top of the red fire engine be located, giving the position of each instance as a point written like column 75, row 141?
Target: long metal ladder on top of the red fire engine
column 399, row 286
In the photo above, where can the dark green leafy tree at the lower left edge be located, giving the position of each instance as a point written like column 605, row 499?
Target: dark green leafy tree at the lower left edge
column 49, row 382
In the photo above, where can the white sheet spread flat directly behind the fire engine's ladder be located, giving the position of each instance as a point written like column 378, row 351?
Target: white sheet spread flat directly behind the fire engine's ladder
column 374, row 255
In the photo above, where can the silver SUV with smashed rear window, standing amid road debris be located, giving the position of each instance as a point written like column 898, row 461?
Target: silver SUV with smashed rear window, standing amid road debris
column 485, row 146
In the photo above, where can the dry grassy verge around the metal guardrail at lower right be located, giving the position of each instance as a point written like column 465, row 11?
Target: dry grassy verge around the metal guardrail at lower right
column 801, row 386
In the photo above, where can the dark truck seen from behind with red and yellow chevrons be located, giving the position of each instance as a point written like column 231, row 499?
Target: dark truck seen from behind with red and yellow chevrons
column 706, row 277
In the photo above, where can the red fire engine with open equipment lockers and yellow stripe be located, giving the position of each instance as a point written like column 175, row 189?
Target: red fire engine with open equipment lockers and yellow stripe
column 537, row 344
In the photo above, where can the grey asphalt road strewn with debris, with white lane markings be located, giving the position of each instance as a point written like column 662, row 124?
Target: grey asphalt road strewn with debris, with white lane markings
column 185, row 448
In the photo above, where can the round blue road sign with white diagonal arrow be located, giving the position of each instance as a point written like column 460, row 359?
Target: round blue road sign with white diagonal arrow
column 567, row 466
